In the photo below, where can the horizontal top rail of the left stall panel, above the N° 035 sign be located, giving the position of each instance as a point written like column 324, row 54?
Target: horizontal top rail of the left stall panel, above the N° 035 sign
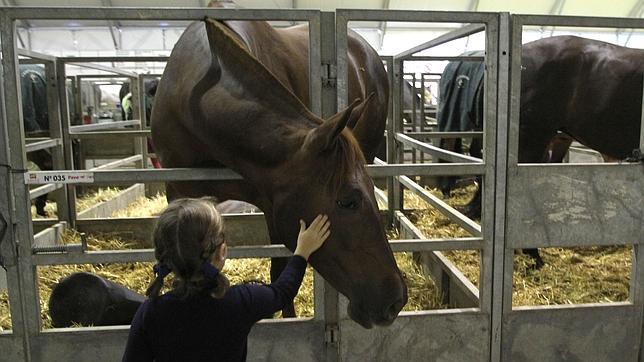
column 154, row 14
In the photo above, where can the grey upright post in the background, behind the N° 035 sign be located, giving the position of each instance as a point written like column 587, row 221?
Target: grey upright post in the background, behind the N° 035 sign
column 68, row 150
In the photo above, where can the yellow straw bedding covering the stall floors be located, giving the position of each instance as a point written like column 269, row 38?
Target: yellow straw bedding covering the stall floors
column 570, row 275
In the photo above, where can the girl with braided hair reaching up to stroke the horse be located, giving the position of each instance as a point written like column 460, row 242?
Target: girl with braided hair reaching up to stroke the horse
column 202, row 318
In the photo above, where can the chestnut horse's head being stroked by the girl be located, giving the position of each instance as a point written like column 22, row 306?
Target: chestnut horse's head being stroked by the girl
column 328, row 175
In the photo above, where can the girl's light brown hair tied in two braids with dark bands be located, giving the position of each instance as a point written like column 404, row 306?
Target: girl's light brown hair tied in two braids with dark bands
column 185, row 237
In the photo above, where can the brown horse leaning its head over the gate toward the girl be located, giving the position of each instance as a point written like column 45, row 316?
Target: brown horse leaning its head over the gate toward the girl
column 233, row 95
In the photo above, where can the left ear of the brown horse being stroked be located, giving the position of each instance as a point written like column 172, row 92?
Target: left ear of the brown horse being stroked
column 323, row 136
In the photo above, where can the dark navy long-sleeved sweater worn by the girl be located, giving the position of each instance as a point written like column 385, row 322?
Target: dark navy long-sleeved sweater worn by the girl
column 203, row 328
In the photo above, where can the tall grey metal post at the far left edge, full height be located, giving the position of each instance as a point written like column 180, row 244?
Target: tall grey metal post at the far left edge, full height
column 19, row 199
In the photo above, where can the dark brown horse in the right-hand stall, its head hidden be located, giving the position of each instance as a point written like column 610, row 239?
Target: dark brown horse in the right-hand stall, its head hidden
column 579, row 89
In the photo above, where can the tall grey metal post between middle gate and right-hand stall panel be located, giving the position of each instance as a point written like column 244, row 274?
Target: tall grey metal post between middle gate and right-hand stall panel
column 501, row 258
